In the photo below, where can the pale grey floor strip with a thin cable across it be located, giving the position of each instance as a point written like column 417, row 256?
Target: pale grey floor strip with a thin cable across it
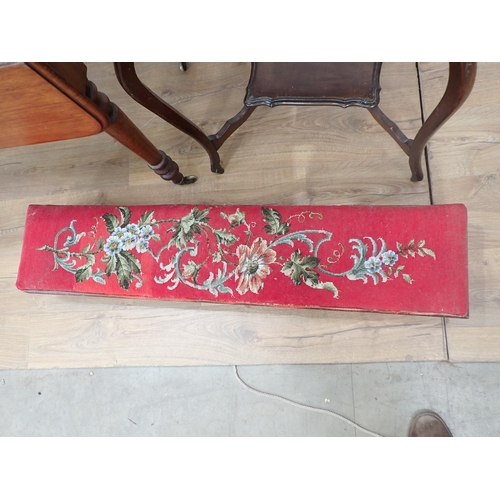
column 209, row 401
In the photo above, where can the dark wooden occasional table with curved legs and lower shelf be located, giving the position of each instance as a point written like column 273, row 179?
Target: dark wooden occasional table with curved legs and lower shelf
column 311, row 84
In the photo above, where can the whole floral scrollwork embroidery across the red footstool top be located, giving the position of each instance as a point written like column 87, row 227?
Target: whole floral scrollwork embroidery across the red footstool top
column 223, row 255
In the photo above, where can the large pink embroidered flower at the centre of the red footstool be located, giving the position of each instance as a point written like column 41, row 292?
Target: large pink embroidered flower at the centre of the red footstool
column 253, row 266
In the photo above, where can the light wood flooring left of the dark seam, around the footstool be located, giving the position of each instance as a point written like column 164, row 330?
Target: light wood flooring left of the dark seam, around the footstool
column 285, row 155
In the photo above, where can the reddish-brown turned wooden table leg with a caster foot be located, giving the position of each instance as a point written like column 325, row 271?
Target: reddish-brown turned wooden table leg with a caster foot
column 122, row 129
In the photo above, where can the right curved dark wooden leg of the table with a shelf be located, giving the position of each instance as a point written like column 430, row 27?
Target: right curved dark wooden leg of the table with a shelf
column 460, row 82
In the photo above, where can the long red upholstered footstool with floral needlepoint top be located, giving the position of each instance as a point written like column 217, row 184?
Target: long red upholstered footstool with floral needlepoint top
column 391, row 259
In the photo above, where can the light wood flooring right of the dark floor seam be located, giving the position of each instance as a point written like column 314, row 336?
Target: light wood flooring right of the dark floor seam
column 465, row 168
